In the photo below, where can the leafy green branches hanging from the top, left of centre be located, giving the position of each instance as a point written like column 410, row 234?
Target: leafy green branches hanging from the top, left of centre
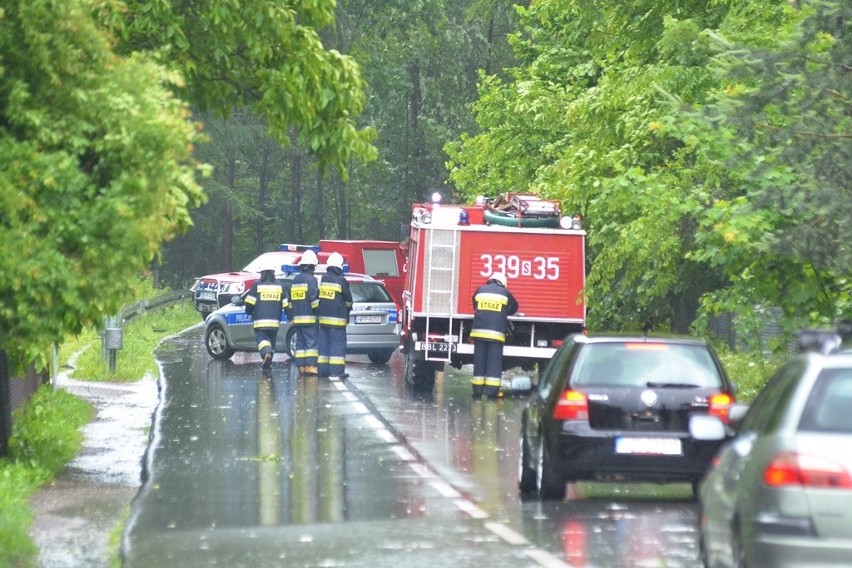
column 262, row 54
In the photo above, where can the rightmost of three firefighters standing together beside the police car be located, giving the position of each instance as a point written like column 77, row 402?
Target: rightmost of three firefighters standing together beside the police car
column 334, row 308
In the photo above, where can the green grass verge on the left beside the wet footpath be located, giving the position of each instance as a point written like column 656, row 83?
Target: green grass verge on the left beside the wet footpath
column 47, row 432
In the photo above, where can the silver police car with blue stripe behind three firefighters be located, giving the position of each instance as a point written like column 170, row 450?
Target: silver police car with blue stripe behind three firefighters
column 373, row 328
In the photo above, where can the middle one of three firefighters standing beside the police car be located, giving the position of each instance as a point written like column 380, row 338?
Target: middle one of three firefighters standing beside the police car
column 303, row 303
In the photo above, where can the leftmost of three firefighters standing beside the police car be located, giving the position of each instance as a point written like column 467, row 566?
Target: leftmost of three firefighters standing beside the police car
column 264, row 303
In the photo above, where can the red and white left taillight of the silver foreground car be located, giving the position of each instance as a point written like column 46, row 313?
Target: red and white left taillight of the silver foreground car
column 791, row 468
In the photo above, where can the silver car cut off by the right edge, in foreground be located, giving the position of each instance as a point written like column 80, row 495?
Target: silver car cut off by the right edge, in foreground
column 780, row 493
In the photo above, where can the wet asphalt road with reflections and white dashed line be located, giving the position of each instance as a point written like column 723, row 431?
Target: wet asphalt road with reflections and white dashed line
column 245, row 470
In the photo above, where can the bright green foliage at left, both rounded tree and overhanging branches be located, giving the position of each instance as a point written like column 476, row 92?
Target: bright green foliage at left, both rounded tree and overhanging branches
column 97, row 165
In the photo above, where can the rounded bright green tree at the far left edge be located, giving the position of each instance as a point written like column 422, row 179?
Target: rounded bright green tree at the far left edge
column 96, row 171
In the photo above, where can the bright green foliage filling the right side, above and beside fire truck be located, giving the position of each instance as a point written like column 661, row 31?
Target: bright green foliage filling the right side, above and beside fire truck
column 706, row 144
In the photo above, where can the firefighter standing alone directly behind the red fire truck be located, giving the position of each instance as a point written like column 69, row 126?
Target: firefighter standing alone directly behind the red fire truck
column 492, row 305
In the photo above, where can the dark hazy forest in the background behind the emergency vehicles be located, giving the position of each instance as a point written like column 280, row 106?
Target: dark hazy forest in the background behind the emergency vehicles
column 419, row 61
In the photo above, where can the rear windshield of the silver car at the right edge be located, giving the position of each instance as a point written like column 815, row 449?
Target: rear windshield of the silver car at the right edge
column 829, row 407
